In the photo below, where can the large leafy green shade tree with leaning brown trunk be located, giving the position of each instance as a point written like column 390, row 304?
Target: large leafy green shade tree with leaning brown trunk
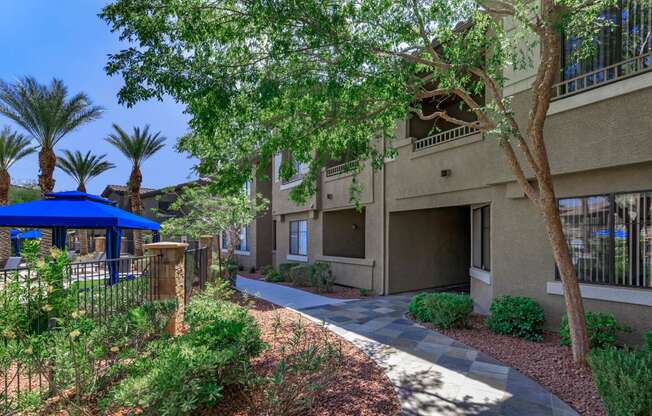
column 322, row 79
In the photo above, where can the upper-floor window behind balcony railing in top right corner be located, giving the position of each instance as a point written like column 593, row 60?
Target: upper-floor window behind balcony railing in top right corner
column 628, row 35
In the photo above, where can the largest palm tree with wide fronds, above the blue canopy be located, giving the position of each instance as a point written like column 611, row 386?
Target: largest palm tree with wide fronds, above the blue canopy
column 47, row 114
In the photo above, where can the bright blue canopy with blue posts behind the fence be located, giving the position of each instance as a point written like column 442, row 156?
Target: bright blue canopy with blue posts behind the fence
column 62, row 210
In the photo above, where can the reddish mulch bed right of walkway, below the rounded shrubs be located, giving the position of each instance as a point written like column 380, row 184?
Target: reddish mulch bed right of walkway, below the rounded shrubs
column 547, row 362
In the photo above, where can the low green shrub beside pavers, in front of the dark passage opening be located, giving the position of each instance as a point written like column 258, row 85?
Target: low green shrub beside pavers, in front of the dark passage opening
column 443, row 310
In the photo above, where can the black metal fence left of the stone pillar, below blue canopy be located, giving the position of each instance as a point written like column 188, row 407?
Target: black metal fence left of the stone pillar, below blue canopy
column 100, row 289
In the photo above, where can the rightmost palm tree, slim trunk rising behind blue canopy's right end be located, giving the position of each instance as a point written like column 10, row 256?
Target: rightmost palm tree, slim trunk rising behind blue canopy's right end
column 137, row 147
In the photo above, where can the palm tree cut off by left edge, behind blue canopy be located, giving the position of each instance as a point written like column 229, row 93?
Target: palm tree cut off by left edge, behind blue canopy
column 13, row 147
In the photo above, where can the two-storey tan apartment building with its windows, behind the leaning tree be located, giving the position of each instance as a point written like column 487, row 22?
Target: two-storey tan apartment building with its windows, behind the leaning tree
column 447, row 210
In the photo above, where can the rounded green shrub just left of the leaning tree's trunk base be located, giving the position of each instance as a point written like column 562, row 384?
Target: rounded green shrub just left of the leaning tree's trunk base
column 518, row 316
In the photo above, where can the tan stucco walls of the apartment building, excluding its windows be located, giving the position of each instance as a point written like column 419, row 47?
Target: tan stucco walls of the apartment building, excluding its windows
column 597, row 144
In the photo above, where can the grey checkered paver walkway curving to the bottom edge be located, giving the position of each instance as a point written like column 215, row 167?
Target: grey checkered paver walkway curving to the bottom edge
column 433, row 374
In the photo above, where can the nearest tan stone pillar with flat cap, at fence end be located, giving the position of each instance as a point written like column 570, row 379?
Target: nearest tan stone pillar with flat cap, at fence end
column 171, row 278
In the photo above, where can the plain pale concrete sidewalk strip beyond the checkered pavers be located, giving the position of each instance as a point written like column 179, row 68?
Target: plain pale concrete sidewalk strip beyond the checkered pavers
column 282, row 295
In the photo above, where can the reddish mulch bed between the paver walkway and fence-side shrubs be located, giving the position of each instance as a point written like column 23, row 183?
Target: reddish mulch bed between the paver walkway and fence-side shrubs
column 360, row 388
